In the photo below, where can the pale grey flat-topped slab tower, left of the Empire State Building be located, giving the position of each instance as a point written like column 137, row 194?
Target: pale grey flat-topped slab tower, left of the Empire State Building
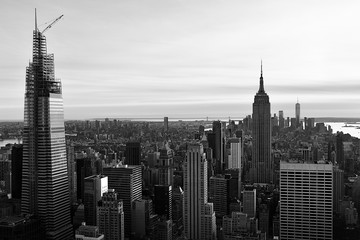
column 235, row 158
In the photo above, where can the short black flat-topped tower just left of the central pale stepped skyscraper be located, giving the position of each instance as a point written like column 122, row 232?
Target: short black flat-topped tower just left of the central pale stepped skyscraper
column 163, row 200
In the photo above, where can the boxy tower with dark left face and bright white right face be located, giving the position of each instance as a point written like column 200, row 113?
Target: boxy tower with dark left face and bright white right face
column 94, row 187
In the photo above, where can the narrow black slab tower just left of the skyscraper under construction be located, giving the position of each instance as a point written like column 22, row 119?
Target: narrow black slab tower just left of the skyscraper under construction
column 16, row 170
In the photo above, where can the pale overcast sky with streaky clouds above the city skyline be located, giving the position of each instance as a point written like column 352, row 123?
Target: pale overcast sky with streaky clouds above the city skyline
column 182, row 58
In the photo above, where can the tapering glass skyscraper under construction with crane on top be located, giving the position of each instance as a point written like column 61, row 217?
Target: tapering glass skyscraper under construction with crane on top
column 45, row 180
